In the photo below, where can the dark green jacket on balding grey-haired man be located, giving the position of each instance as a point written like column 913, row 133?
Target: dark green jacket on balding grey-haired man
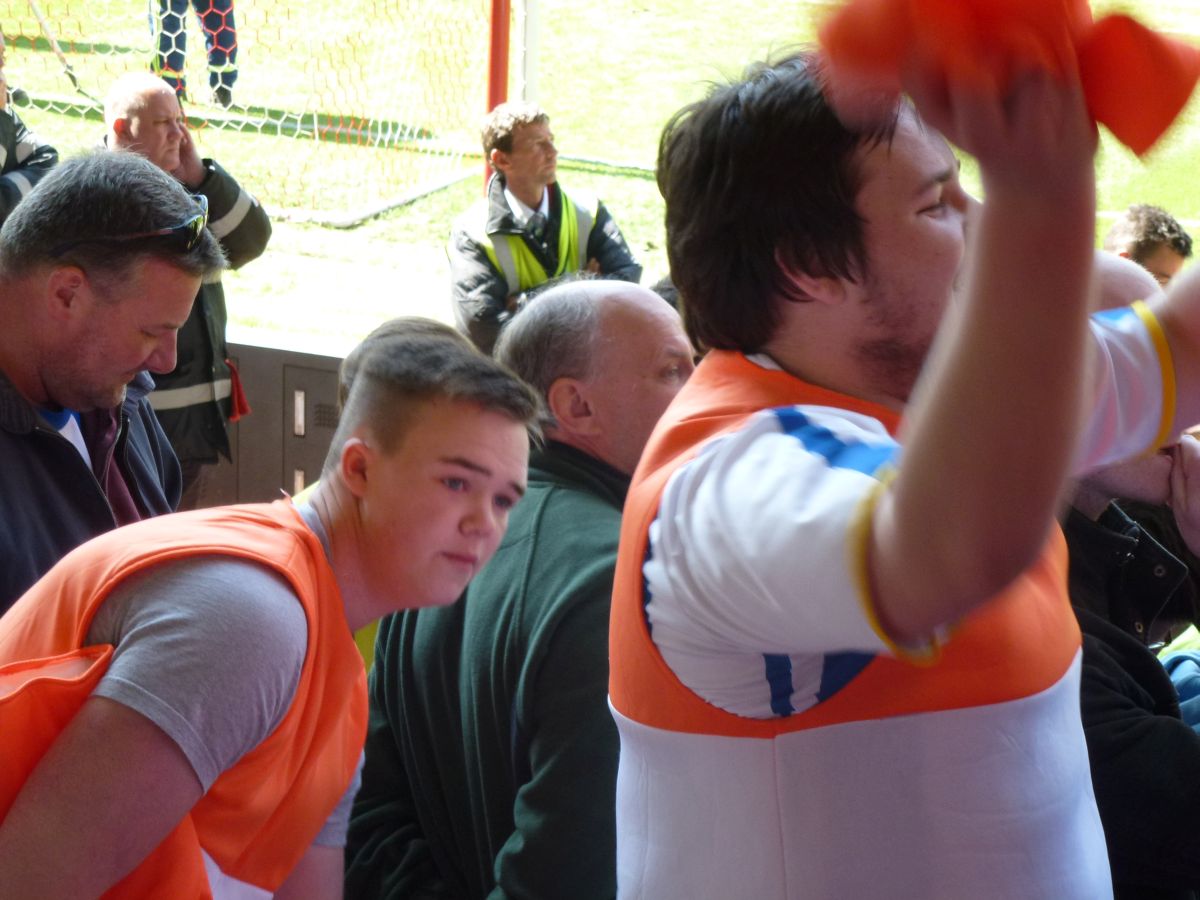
column 491, row 757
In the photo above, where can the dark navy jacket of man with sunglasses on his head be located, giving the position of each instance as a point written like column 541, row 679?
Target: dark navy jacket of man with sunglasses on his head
column 50, row 500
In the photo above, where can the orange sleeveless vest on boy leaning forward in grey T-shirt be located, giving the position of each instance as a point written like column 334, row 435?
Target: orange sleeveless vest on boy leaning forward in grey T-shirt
column 259, row 818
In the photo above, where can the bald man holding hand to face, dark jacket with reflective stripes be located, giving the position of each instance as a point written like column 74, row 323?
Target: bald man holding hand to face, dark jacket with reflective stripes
column 195, row 401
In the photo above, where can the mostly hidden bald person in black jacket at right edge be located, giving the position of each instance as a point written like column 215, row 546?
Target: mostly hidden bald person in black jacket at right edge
column 1135, row 581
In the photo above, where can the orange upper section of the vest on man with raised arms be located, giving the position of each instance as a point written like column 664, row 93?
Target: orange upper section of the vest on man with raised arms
column 1015, row 646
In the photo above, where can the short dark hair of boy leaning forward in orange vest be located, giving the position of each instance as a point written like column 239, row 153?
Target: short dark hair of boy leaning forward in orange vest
column 398, row 375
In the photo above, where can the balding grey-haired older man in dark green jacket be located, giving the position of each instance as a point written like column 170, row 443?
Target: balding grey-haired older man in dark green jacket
column 491, row 753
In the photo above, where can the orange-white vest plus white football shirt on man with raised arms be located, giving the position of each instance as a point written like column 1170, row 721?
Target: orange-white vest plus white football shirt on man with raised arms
column 862, row 773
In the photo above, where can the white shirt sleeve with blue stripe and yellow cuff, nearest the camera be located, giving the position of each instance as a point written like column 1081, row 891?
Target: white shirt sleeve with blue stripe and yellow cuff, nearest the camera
column 760, row 542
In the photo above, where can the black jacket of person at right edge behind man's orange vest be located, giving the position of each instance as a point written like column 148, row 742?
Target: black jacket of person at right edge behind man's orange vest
column 1145, row 760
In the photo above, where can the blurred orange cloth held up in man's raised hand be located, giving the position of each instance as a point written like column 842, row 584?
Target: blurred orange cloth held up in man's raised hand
column 1136, row 80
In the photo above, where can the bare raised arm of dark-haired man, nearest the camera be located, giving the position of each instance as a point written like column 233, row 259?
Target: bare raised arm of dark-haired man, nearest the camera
column 992, row 425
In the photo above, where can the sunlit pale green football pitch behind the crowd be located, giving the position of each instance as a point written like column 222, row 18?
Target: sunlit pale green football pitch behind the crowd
column 609, row 74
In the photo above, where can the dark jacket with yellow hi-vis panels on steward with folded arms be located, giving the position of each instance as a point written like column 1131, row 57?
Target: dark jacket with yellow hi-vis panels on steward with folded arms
column 493, row 260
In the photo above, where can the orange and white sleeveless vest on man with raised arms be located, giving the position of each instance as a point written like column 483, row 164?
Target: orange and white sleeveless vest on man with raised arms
column 717, row 805
